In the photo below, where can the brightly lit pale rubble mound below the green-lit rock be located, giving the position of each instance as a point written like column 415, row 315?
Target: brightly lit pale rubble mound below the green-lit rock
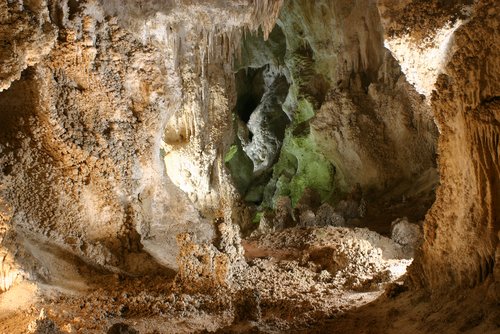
column 355, row 258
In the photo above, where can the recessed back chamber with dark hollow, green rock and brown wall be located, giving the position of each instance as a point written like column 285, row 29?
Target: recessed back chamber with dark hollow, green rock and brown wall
column 300, row 146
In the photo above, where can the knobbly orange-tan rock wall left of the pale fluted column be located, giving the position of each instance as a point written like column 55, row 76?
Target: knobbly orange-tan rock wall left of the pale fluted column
column 85, row 125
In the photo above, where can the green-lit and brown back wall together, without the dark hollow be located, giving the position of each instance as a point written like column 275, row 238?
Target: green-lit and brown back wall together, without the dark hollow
column 355, row 119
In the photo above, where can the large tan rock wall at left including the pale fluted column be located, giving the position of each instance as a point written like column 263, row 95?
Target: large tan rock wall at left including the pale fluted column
column 82, row 128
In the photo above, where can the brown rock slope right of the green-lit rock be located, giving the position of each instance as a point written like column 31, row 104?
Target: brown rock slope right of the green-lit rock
column 355, row 126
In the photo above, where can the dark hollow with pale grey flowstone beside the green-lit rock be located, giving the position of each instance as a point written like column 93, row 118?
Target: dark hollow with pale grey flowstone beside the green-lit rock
column 261, row 124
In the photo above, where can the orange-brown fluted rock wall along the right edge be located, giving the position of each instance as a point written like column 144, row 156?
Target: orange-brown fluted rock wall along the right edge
column 461, row 246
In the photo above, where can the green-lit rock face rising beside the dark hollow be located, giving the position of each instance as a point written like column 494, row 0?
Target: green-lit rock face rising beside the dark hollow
column 296, row 45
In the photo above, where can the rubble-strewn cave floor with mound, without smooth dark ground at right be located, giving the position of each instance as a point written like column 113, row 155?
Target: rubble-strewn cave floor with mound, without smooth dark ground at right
column 293, row 279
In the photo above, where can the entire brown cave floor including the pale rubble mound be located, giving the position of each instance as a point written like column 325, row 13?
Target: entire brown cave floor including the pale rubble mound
column 297, row 280
